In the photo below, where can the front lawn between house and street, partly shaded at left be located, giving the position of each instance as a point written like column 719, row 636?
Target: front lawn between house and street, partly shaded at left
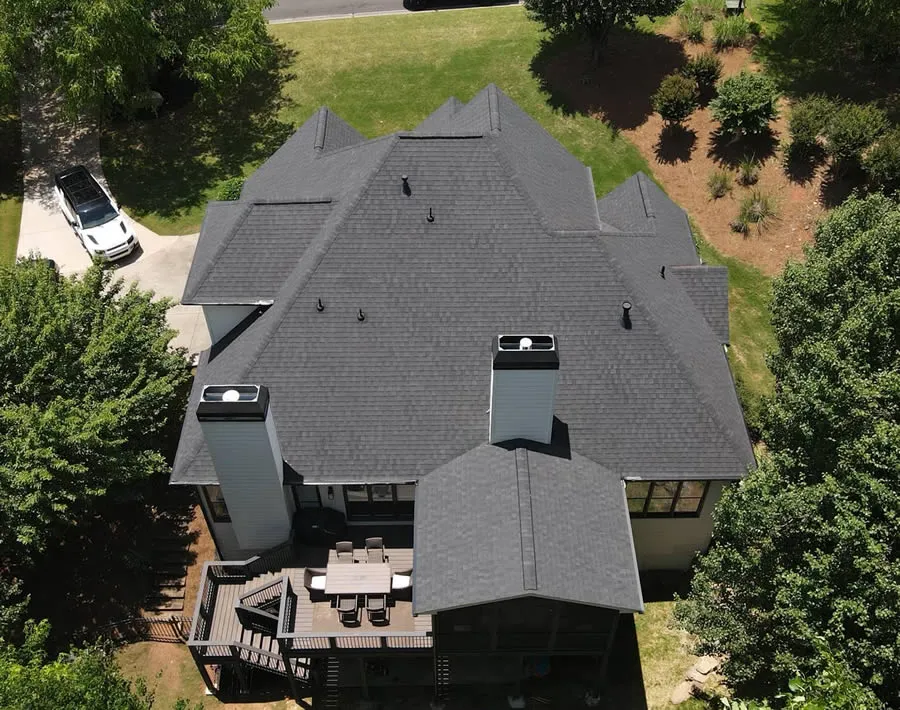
column 380, row 74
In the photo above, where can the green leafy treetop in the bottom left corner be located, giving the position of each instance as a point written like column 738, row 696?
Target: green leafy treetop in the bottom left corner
column 83, row 679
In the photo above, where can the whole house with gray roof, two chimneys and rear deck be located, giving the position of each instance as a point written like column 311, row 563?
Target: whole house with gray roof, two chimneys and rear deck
column 442, row 339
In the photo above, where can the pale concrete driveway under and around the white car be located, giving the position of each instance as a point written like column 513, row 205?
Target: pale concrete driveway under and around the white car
column 161, row 265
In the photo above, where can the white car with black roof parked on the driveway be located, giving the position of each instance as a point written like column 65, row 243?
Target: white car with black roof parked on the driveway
column 94, row 215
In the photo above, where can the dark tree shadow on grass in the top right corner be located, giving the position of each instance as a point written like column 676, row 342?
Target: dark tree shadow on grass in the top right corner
column 808, row 57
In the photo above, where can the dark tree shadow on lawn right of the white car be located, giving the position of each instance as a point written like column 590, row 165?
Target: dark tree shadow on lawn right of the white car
column 167, row 165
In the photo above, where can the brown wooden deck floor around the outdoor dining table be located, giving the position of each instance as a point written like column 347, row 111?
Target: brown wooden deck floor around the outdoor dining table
column 312, row 617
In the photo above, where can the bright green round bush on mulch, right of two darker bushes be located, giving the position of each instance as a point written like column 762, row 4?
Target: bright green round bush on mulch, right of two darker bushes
column 745, row 104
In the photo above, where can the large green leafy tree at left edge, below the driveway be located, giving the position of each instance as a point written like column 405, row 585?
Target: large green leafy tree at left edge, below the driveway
column 89, row 390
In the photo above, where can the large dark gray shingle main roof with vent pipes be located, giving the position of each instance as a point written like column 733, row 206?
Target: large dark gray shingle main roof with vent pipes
column 407, row 390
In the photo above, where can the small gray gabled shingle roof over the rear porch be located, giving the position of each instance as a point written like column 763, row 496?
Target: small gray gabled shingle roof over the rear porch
column 504, row 522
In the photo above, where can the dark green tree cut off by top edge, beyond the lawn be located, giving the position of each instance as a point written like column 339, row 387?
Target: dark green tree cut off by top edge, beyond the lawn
column 593, row 19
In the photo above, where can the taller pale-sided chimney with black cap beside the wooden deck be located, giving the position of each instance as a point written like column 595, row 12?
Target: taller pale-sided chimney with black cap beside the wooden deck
column 240, row 434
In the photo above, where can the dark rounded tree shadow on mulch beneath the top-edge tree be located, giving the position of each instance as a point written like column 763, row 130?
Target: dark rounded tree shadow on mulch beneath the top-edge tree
column 620, row 87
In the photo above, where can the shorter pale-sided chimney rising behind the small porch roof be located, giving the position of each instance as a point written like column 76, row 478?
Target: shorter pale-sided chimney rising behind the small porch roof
column 523, row 387
